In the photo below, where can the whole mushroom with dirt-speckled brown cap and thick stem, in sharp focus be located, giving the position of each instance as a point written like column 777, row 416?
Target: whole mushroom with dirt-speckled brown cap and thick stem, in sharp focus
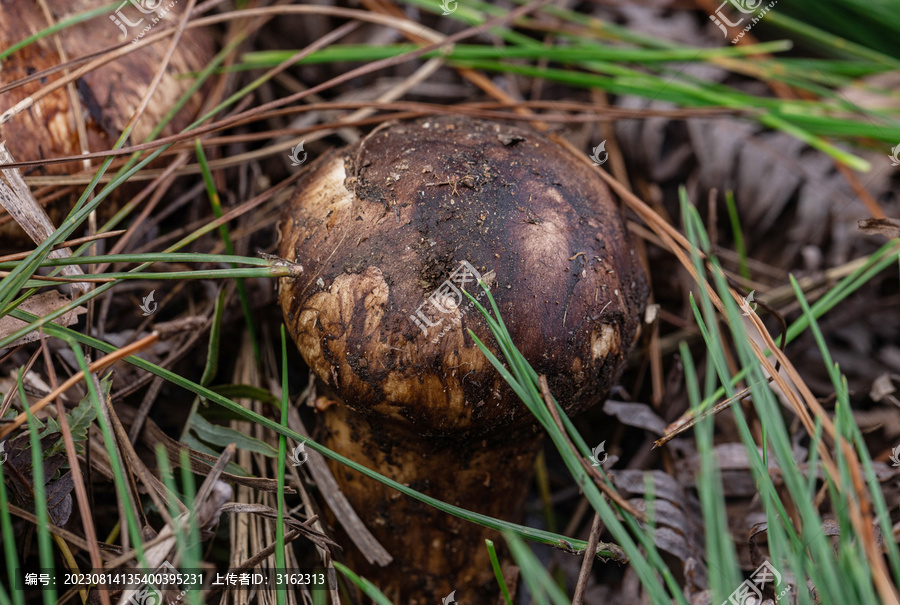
column 390, row 232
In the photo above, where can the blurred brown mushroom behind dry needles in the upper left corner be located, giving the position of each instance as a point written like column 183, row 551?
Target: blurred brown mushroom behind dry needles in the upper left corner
column 107, row 96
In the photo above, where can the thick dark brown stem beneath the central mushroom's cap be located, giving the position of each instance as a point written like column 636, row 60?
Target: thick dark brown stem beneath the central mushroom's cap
column 488, row 476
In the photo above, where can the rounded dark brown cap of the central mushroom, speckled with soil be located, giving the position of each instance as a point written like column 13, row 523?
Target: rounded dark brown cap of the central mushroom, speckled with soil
column 390, row 229
